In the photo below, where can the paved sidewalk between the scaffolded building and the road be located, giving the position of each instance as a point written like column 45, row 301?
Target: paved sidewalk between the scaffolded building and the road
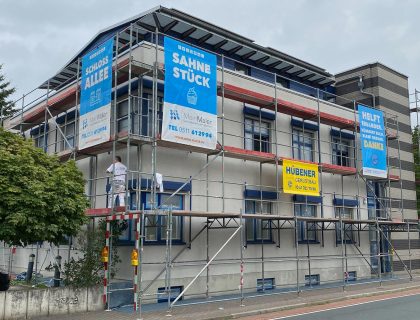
column 253, row 306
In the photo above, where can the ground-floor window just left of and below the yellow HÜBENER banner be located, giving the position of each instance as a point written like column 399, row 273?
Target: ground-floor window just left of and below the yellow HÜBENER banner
column 254, row 232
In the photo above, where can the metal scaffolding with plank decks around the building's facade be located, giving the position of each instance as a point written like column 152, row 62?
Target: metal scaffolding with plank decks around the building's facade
column 138, row 129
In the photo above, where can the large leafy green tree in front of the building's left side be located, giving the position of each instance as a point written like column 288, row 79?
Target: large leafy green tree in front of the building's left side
column 41, row 199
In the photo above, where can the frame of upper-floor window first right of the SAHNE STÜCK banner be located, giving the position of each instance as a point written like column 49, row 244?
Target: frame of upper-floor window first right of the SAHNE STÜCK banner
column 259, row 141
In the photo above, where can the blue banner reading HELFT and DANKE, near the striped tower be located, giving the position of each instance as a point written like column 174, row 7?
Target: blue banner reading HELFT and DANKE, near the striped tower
column 373, row 142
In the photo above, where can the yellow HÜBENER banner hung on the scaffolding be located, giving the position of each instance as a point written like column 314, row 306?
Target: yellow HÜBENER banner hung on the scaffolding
column 300, row 178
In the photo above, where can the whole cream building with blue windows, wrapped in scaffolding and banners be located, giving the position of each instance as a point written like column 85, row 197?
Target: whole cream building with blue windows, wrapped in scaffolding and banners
column 205, row 195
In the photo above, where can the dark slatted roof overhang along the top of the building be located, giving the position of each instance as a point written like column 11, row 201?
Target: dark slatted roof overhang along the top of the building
column 188, row 28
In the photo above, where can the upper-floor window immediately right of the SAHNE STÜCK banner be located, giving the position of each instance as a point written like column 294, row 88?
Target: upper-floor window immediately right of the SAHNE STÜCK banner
column 257, row 135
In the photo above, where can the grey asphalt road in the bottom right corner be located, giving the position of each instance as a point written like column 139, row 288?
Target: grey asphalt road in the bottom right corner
column 399, row 308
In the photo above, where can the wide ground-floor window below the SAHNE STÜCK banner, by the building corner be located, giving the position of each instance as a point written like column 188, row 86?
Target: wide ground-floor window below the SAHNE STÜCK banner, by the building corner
column 155, row 226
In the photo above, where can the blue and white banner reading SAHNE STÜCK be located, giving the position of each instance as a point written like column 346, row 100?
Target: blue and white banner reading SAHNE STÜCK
column 190, row 97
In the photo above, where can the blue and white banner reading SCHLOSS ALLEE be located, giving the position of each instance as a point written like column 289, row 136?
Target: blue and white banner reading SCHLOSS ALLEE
column 95, row 96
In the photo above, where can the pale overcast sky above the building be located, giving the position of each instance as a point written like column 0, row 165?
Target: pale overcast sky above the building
column 37, row 37
